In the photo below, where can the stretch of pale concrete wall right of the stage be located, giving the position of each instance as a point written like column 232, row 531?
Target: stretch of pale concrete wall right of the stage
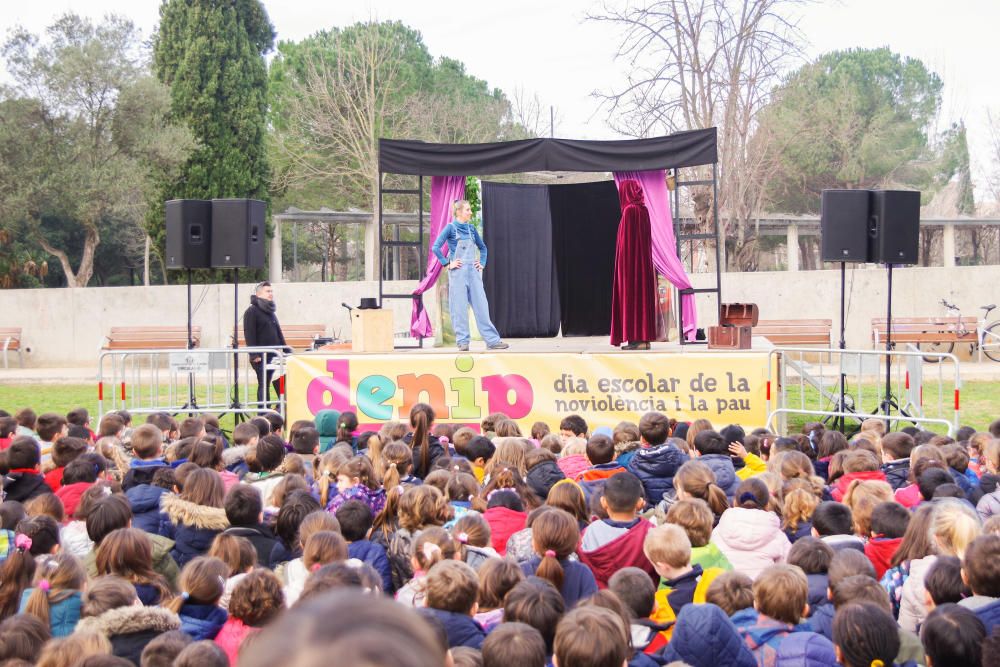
column 916, row 292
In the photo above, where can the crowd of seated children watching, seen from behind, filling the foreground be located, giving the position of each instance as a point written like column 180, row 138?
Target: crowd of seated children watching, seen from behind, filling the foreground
column 657, row 543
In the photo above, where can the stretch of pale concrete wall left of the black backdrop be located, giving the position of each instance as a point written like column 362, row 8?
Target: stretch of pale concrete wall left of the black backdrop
column 66, row 327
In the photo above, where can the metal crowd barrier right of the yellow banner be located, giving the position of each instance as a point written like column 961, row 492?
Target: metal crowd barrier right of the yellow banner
column 818, row 385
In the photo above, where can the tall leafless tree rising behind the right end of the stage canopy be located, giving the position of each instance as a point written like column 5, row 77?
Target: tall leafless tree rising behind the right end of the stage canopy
column 702, row 63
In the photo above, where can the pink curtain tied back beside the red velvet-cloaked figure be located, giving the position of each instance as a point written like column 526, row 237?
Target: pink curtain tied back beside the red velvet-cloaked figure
column 665, row 259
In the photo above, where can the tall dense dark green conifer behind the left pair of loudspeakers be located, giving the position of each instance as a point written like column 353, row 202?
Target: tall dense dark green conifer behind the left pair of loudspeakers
column 211, row 54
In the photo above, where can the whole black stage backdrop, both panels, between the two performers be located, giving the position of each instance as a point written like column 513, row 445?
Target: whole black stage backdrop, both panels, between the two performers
column 551, row 257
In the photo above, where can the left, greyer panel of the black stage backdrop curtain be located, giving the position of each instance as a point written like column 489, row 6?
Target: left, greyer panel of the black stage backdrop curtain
column 520, row 276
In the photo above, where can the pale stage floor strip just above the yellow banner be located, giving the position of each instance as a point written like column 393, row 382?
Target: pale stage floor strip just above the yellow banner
column 559, row 344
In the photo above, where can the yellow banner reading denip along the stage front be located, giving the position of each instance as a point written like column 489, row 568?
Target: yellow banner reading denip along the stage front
column 725, row 387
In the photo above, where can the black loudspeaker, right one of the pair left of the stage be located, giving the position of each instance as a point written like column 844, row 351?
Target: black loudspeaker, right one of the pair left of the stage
column 238, row 233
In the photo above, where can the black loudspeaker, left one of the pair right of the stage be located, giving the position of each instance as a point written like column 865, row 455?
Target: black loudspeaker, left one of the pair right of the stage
column 844, row 225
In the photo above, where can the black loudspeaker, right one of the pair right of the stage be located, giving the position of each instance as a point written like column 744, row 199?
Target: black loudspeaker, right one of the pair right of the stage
column 897, row 226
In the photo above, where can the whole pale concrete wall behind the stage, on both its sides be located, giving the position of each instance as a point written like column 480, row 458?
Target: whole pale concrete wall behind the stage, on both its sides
column 67, row 326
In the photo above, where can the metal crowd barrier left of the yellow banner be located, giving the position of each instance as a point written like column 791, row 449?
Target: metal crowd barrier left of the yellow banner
column 198, row 381
